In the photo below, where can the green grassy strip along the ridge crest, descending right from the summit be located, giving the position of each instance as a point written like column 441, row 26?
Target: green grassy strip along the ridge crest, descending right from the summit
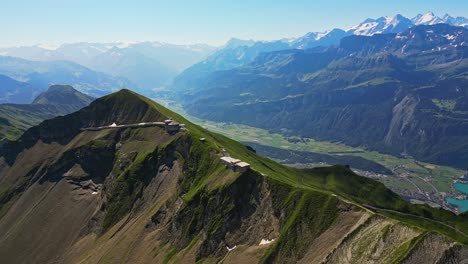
column 340, row 181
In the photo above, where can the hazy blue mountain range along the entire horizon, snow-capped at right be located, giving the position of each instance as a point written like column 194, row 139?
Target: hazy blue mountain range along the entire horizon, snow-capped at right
column 150, row 65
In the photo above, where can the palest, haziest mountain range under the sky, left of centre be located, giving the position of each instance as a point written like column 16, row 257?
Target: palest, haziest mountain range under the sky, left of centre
column 147, row 64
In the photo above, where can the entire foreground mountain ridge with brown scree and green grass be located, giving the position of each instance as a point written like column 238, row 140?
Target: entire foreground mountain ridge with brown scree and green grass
column 141, row 195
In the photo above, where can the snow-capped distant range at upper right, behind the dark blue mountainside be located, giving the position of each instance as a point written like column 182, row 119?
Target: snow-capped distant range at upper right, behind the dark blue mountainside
column 237, row 52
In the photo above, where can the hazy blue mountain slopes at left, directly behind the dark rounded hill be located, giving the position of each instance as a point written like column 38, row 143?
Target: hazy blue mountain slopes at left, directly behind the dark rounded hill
column 42, row 74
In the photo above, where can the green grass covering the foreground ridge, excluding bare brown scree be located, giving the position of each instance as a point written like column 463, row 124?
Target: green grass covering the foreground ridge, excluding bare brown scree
column 208, row 200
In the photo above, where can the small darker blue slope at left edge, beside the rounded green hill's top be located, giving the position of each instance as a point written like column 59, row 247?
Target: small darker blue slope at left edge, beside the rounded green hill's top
column 13, row 91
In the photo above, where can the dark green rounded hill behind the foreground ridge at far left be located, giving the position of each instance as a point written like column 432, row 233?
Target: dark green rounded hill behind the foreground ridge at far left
column 57, row 100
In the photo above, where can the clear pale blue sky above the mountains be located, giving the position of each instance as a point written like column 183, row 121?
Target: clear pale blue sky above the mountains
column 29, row 22
